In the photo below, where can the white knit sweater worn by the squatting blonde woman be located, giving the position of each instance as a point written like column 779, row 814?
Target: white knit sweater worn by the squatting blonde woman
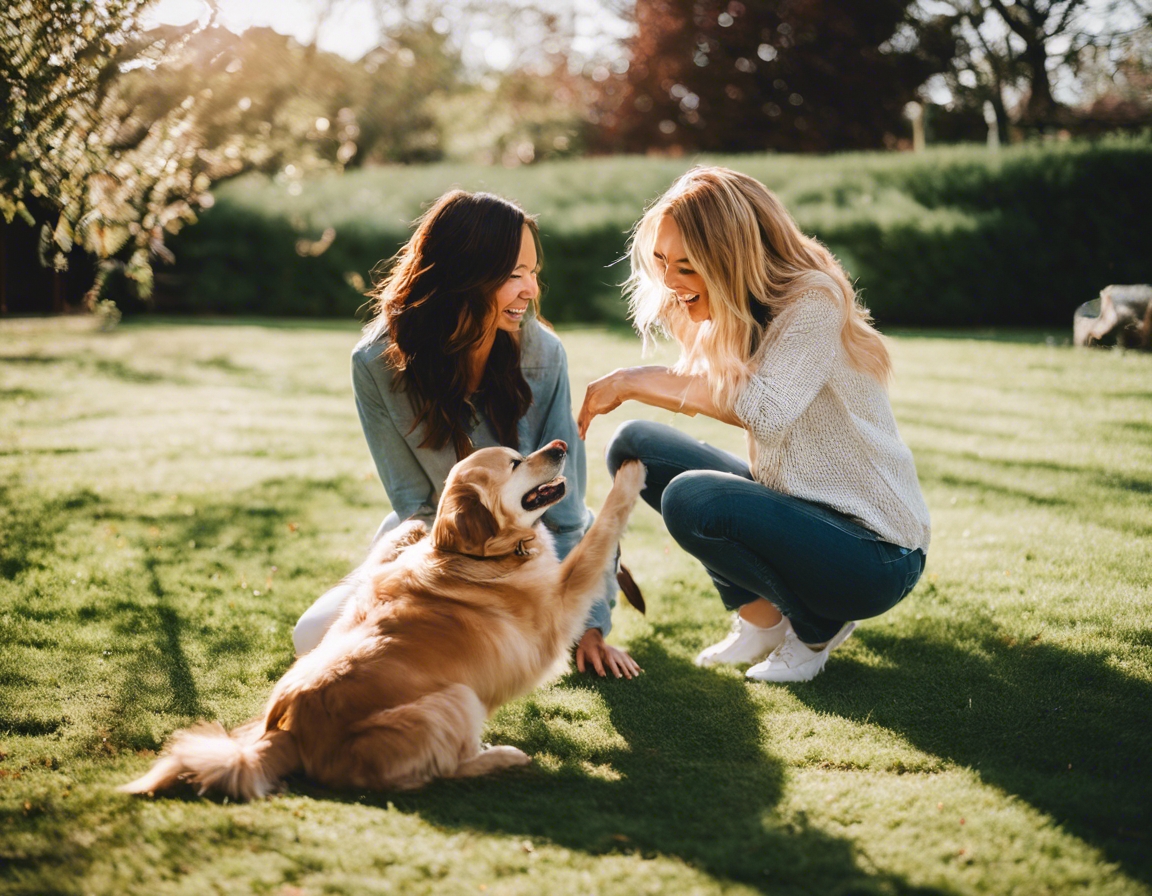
column 823, row 431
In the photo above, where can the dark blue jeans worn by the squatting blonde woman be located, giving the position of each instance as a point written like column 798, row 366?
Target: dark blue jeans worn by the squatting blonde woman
column 816, row 566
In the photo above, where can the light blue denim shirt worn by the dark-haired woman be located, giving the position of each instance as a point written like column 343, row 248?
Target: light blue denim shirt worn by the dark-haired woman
column 414, row 476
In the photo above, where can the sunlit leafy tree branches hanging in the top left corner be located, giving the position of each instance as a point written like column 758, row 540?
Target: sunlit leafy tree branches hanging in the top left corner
column 64, row 146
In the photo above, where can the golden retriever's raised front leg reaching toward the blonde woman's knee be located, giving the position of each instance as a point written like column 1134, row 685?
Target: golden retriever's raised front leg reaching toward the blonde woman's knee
column 582, row 571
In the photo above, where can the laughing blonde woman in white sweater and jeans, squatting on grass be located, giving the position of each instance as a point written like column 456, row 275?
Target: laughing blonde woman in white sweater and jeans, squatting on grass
column 825, row 525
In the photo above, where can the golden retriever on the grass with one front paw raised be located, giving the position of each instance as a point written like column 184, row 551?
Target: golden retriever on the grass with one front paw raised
column 446, row 627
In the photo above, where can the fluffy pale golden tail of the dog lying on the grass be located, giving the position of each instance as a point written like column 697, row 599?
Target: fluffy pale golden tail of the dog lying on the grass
column 245, row 765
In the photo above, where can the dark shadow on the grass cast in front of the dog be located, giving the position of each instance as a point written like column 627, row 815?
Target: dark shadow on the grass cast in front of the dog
column 689, row 780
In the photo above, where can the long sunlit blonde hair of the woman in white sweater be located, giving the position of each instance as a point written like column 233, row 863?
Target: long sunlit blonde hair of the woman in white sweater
column 746, row 246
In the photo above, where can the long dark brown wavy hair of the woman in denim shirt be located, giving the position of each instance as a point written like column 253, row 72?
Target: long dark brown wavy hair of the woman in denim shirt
column 437, row 305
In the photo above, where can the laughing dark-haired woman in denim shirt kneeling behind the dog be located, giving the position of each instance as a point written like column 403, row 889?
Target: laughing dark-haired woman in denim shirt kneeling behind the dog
column 456, row 359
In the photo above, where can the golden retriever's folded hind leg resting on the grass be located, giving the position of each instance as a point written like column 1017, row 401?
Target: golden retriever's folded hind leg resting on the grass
column 436, row 736
